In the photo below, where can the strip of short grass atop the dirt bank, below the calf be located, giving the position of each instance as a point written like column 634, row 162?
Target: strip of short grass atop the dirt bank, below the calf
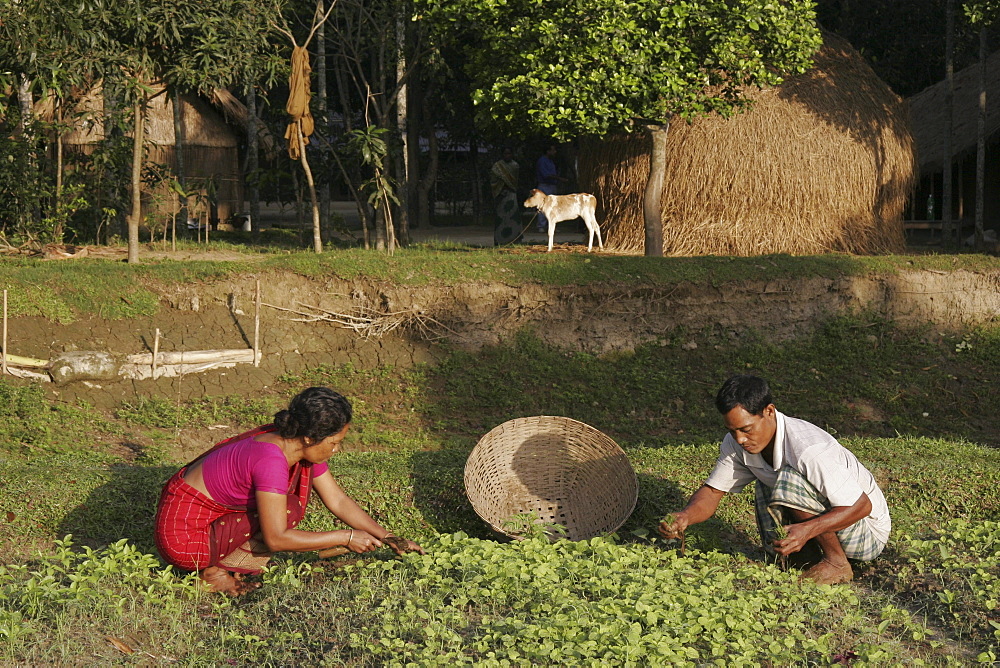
column 63, row 291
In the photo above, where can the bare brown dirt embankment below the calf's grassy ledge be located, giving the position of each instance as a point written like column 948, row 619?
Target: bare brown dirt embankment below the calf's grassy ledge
column 399, row 325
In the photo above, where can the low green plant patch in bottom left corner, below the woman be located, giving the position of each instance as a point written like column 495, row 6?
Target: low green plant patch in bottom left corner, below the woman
column 121, row 593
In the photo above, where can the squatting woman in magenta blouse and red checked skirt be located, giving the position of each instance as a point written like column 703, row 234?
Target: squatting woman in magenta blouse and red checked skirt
column 226, row 512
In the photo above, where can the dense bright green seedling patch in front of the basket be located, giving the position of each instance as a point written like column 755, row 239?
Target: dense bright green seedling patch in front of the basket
column 580, row 603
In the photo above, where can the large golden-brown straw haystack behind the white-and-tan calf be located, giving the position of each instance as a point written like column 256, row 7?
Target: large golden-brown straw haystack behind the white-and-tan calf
column 822, row 163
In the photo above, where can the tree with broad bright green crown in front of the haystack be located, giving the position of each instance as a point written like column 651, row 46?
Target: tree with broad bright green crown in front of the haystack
column 593, row 67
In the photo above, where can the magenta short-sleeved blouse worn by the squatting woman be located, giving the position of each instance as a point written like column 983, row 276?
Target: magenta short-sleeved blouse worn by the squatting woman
column 235, row 472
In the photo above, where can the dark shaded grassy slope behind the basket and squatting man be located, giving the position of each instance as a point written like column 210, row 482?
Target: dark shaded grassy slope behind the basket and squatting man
column 855, row 374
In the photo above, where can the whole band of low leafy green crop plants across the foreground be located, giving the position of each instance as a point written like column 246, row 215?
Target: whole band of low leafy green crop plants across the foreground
column 467, row 601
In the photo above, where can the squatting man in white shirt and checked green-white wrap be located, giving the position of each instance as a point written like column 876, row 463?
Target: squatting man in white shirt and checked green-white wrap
column 818, row 488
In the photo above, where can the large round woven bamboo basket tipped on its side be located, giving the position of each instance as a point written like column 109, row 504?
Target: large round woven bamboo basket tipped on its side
column 564, row 471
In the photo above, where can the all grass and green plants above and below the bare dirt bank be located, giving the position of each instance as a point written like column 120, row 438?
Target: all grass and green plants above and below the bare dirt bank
column 917, row 407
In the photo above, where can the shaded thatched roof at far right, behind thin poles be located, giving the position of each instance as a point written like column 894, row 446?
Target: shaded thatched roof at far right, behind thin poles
column 927, row 114
